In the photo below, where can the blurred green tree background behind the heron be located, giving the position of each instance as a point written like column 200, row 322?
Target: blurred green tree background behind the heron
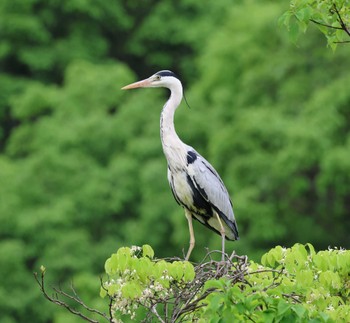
column 82, row 171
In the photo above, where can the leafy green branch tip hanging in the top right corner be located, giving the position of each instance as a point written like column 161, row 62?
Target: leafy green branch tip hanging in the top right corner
column 331, row 17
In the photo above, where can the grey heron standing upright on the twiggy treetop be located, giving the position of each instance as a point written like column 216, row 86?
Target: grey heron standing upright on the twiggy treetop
column 194, row 182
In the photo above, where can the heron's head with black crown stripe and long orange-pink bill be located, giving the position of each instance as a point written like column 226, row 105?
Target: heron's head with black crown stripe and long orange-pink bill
column 161, row 79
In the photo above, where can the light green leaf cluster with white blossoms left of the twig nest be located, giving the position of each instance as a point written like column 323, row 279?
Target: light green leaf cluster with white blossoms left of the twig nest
column 137, row 281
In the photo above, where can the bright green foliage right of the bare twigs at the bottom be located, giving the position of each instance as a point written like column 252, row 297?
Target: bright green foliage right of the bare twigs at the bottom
column 291, row 285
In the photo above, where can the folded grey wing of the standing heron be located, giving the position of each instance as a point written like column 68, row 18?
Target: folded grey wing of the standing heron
column 211, row 187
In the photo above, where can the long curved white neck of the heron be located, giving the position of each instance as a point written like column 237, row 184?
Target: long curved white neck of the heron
column 173, row 147
